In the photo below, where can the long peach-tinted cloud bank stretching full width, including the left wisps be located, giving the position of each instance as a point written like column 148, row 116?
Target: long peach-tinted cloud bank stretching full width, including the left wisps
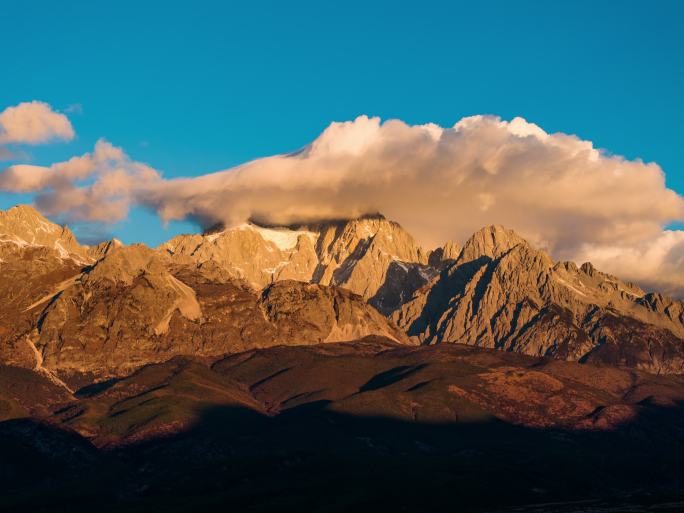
column 440, row 183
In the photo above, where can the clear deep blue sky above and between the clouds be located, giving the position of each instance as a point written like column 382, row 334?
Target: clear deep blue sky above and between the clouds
column 193, row 87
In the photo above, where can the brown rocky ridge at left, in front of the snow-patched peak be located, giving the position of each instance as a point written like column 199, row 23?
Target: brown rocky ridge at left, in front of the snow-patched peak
column 133, row 308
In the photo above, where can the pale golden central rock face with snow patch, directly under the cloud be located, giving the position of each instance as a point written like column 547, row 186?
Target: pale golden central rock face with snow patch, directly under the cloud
column 370, row 256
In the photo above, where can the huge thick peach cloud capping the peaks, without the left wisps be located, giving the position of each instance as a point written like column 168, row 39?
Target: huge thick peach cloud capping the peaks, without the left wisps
column 441, row 183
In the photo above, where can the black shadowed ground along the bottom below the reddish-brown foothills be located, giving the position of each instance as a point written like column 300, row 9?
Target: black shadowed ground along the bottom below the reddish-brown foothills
column 312, row 459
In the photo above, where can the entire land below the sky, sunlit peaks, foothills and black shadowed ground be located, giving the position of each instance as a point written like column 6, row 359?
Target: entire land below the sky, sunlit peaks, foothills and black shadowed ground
column 334, row 366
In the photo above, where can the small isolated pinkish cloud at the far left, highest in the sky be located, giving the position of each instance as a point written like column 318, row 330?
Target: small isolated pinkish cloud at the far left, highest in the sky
column 33, row 123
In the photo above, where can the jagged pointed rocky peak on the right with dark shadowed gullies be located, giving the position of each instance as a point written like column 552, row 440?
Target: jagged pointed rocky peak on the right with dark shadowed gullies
column 502, row 293
